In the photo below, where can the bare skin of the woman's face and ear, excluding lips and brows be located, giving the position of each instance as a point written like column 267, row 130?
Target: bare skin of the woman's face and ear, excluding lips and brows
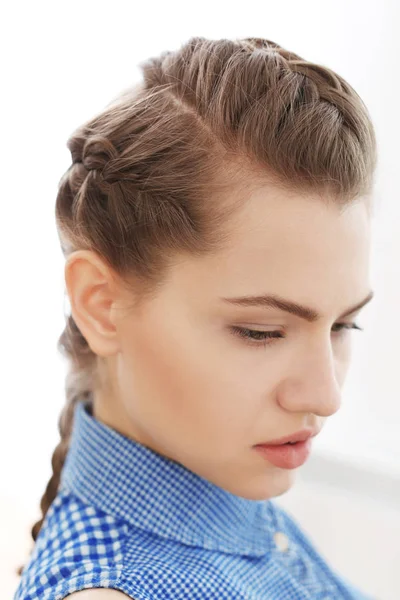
column 180, row 381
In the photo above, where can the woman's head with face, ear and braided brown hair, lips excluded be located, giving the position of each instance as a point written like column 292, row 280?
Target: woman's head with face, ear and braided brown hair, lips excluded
column 235, row 169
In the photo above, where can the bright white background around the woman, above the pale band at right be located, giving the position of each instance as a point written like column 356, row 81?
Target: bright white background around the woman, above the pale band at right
column 61, row 63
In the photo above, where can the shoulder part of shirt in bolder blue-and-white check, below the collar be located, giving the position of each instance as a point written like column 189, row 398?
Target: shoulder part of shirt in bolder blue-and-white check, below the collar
column 77, row 545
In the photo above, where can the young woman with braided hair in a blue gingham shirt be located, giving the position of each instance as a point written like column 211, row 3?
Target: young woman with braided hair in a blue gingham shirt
column 215, row 222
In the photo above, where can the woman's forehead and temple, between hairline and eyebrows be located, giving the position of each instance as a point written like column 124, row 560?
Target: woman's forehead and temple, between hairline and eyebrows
column 298, row 247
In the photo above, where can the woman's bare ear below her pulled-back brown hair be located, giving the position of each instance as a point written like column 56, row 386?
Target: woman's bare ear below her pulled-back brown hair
column 92, row 293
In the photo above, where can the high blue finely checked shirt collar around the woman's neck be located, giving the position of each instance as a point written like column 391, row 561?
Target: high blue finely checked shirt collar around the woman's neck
column 131, row 481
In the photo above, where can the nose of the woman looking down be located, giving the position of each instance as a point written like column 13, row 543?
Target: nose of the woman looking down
column 314, row 386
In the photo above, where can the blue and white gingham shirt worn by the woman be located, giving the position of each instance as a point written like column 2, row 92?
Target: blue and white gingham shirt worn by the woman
column 127, row 518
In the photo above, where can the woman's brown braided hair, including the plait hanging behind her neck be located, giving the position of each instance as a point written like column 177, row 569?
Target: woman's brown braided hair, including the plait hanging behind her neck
column 148, row 171
